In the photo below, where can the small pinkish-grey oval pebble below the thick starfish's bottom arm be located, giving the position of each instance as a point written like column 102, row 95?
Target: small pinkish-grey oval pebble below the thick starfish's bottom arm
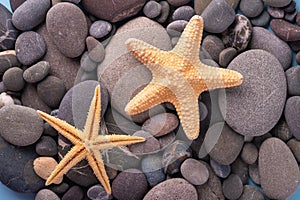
column 194, row 171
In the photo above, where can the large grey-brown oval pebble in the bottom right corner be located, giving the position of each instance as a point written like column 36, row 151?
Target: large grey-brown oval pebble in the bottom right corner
column 278, row 169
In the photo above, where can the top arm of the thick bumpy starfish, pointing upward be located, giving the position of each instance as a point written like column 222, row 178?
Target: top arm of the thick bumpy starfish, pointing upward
column 188, row 45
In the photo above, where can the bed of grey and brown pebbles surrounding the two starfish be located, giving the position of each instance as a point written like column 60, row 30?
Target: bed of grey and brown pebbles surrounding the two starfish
column 53, row 54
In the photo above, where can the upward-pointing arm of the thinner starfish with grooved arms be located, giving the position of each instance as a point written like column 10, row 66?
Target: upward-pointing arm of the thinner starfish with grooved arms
column 91, row 127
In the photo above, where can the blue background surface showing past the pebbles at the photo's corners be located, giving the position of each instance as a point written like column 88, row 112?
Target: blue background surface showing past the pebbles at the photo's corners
column 6, row 193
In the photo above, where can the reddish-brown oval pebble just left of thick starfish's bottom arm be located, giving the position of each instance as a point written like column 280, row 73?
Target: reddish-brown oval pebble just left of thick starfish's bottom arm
column 161, row 124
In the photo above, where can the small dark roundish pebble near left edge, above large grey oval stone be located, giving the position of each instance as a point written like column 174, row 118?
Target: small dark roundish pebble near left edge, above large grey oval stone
column 13, row 79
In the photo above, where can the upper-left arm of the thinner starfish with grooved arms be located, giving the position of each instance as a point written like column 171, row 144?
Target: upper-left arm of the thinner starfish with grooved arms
column 67, row 130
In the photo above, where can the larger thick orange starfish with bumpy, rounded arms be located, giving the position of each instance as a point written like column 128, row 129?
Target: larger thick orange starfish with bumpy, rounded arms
column 179, row 77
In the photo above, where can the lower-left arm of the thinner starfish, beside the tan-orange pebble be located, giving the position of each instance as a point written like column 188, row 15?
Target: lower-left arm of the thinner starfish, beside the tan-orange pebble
column 75, row 155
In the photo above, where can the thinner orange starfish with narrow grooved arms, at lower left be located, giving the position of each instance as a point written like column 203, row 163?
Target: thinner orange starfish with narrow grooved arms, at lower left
column 87, row 143
